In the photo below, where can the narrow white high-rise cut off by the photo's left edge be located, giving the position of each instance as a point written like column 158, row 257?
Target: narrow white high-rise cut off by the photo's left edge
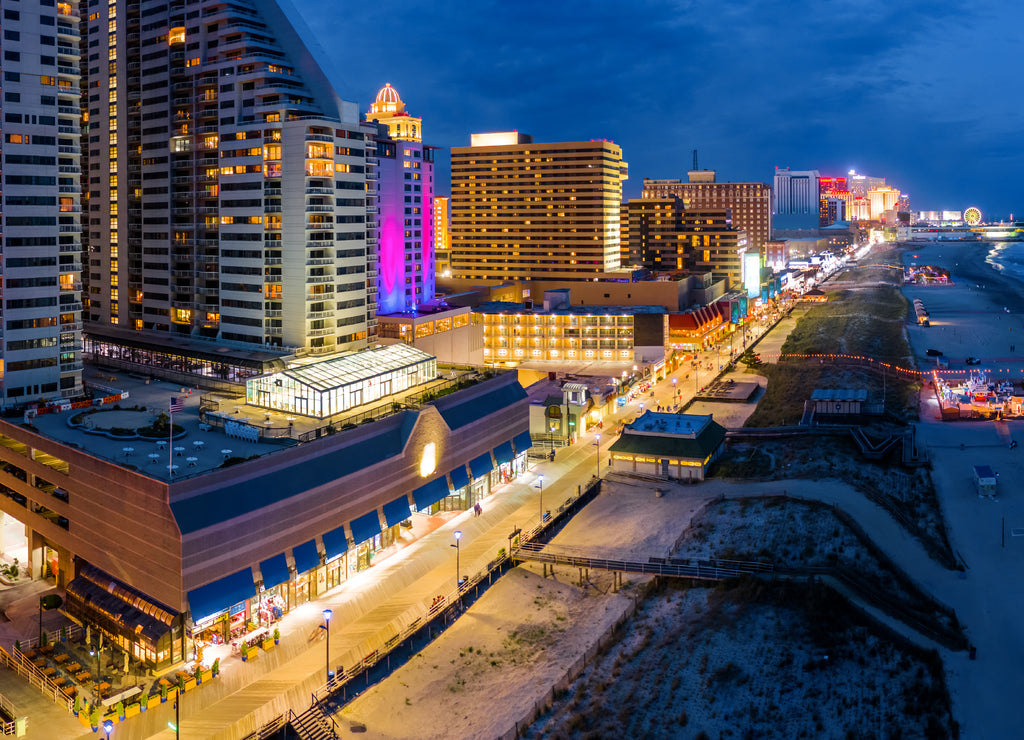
column 40, row 203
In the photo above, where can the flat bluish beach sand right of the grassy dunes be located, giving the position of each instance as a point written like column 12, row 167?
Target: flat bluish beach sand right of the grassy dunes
column 968, row 320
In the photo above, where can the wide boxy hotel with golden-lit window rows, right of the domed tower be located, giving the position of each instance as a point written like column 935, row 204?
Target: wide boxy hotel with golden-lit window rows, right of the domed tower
column 535, row 211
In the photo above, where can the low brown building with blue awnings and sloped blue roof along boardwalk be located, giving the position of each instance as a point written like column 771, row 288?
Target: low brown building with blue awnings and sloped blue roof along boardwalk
column 156, row 562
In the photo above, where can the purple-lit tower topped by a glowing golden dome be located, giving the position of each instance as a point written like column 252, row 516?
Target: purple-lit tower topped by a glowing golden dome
column 405, row 176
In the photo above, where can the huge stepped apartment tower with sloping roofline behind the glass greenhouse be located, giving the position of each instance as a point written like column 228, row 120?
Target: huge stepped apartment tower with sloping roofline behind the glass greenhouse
column 227, row 181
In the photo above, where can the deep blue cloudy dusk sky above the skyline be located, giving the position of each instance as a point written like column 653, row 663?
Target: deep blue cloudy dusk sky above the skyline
column 926, row 95
